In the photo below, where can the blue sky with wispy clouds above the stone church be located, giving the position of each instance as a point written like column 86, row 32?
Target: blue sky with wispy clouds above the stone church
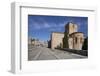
column 40, row 26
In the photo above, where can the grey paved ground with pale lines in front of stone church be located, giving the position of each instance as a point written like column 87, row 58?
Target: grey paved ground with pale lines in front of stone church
column 43, row 53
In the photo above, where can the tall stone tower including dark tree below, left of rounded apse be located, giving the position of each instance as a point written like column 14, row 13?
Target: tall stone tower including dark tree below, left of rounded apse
column 69, row 29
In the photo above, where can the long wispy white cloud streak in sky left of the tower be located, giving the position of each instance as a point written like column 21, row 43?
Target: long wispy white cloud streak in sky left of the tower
column 40, row 24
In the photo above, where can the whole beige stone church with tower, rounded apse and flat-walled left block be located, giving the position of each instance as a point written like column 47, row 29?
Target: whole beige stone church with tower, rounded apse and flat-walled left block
column 71, row 38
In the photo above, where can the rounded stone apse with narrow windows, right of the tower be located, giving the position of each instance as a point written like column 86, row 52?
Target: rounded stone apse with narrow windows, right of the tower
column 76, row 40
